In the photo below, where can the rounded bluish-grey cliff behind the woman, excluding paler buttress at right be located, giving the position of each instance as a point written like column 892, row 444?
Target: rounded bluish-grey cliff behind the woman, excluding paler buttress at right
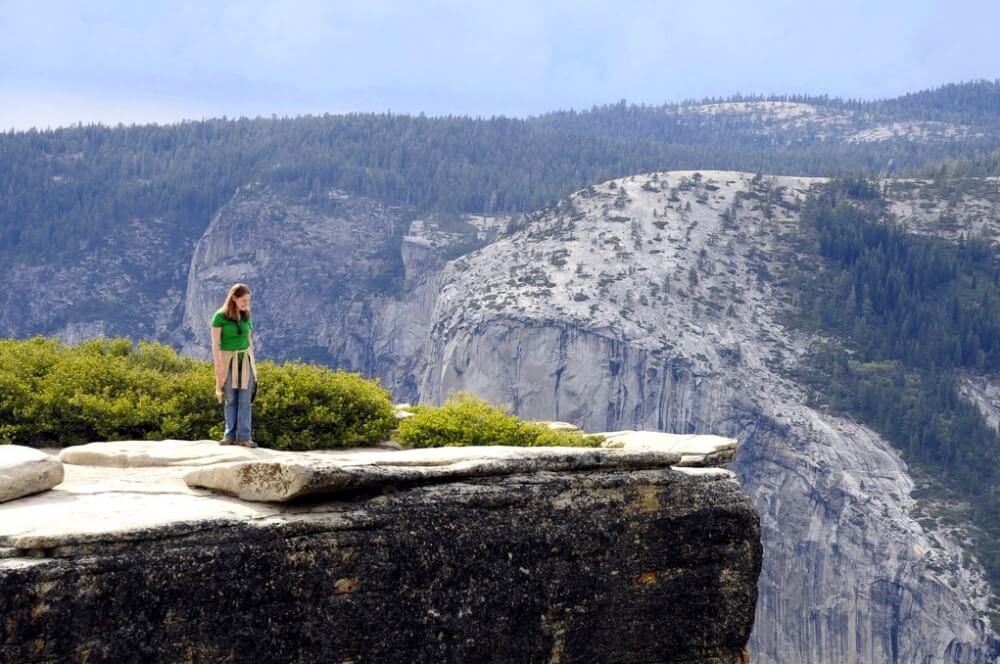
column 304, row 260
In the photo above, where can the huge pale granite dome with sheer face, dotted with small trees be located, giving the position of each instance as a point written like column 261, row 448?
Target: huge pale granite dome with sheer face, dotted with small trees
column 650, row 302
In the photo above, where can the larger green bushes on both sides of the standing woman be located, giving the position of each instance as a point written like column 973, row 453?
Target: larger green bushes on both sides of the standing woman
column 54, row 395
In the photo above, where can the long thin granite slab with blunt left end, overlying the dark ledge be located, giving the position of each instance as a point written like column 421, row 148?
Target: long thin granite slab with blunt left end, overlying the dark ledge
column 287, row 477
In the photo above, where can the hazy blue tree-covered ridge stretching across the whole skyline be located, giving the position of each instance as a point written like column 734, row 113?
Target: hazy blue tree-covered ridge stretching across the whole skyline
column 63, row 191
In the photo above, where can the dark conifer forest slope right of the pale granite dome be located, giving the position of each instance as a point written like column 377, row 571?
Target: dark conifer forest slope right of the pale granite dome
column 912, row 313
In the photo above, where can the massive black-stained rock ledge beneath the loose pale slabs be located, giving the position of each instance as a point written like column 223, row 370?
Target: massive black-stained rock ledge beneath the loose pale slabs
column 602, row 564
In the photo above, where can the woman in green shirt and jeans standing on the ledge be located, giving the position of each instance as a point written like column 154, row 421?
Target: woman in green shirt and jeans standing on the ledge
column 235, row 368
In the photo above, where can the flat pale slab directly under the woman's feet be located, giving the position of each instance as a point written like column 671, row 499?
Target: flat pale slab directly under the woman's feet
column 143, row 453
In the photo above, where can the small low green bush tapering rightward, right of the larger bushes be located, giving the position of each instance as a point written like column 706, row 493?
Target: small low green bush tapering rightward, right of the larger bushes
column 465, row 419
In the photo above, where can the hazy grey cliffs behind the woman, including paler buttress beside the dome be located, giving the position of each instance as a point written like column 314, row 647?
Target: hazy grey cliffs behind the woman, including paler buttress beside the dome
column 340, row 280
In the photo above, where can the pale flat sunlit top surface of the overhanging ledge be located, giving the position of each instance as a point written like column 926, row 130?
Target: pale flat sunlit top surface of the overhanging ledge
column 183, row 486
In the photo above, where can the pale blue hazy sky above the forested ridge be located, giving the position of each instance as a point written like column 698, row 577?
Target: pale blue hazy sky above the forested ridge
column 151, row 61
